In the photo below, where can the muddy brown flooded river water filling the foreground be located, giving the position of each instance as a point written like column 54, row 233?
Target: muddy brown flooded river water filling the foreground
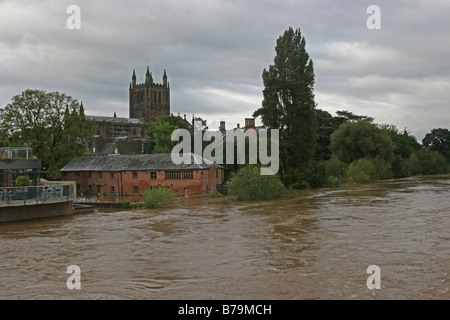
column 315, row 245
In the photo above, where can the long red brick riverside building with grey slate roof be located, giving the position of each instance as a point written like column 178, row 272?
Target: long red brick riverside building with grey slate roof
column 132, row 175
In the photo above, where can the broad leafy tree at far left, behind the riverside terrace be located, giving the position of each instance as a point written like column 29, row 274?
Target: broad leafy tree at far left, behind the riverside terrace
column 52, row 123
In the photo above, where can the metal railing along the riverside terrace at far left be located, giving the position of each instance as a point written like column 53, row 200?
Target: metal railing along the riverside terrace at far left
column 50, row 191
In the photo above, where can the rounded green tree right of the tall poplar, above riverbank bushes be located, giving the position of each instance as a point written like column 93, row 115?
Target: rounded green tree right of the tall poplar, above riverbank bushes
column 361, row 139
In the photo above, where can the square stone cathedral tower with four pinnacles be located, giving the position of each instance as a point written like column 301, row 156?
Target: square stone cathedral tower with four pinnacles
column 149, row 100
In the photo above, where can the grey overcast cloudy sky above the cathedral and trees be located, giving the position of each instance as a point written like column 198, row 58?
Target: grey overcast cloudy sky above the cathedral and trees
column 214, row 52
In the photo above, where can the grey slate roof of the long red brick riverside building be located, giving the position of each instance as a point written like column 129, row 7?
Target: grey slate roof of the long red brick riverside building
column 141, row 162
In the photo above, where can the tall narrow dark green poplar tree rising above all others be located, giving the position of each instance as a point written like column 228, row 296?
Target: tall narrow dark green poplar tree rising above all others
column 288, row 103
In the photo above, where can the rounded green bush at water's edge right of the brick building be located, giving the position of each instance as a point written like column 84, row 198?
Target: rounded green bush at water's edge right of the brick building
column 249, row 184
